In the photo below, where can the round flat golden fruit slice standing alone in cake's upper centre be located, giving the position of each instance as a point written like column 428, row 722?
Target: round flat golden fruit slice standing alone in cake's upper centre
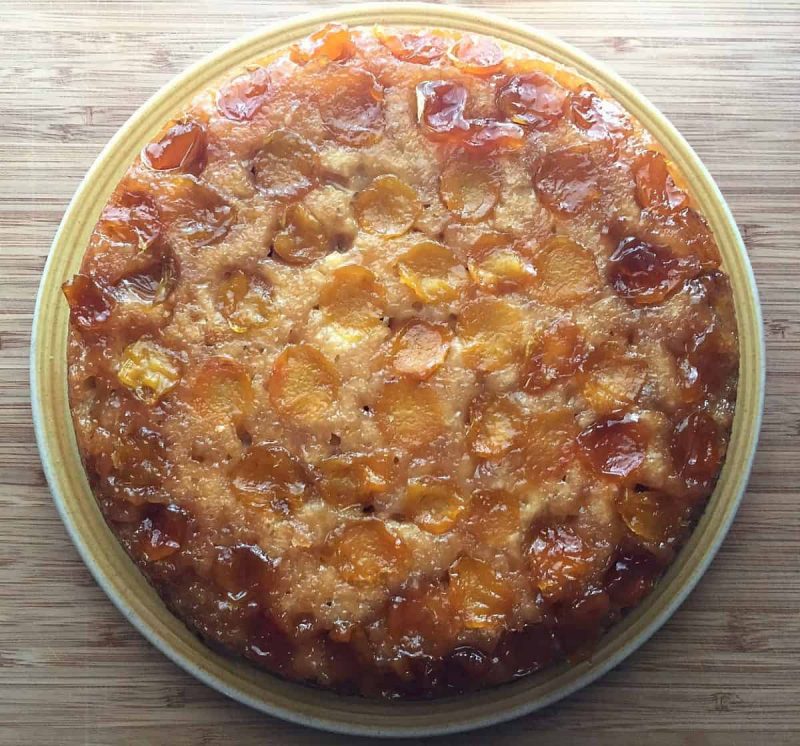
column 388, row 206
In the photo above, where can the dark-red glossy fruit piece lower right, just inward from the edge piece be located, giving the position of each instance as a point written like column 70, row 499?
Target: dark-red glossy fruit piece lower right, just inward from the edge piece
column 614, row 446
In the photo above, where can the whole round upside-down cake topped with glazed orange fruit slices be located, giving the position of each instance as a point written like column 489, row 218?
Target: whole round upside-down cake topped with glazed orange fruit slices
column 402, row 363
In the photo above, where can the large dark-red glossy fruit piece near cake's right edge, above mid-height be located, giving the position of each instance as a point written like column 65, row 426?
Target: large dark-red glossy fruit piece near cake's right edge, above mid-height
column 645, row 273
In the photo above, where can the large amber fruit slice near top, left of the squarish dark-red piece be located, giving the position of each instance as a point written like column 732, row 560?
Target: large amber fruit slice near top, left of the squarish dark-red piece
column 350, row 102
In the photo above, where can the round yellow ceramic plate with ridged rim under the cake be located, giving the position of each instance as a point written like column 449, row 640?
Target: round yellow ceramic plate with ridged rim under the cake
column 128, row 589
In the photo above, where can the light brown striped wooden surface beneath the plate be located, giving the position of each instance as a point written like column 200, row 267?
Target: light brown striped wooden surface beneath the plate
column 724, row 670
